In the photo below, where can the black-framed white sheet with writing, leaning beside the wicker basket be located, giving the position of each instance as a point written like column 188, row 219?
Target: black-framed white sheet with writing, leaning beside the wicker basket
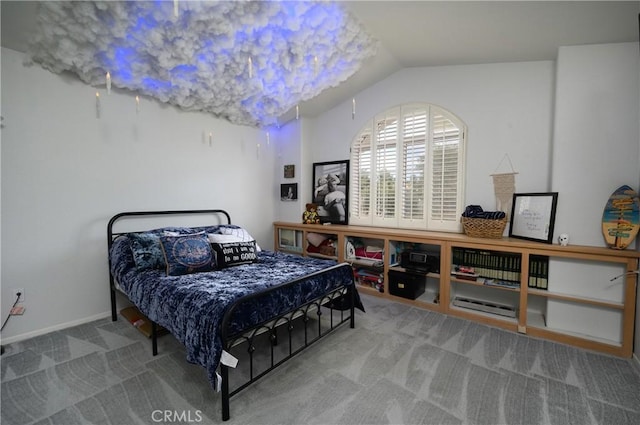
column 533, row 216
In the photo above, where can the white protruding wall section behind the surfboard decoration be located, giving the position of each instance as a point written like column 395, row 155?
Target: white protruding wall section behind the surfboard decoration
column 595, row 137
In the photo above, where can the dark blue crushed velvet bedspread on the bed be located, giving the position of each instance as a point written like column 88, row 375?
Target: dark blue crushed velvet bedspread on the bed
column 192, row 306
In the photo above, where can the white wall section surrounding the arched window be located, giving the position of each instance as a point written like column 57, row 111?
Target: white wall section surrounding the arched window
column 507, row 108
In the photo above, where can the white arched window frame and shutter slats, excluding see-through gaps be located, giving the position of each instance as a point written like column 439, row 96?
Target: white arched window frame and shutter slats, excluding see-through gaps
column 363, row 210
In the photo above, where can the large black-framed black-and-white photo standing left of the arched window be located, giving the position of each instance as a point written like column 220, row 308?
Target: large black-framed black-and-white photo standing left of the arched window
column 331, row 191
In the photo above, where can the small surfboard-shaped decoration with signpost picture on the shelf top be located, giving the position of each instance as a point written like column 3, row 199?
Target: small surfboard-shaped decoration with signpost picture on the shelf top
column 621, row 218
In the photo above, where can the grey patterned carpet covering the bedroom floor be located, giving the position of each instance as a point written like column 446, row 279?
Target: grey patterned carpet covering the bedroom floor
column 401, row 365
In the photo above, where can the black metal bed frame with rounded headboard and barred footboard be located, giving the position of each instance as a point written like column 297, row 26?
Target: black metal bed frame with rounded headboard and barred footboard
column 271, row 326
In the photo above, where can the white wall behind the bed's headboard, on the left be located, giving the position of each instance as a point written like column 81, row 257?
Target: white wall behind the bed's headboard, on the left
column 65, row 173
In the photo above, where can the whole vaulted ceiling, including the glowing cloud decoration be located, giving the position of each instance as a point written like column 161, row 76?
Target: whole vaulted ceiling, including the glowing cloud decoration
column 288, row 58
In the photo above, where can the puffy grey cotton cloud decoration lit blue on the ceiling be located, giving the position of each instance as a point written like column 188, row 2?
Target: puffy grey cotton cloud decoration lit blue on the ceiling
column 246, row 61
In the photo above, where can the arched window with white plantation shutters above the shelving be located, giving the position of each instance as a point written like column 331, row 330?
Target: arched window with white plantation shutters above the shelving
column 408, row 169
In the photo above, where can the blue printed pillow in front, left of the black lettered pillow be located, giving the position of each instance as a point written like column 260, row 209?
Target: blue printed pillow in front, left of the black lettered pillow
column 186, row 254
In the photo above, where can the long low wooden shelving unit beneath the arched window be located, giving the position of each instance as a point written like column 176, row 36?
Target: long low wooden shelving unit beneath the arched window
column 530, row 303
